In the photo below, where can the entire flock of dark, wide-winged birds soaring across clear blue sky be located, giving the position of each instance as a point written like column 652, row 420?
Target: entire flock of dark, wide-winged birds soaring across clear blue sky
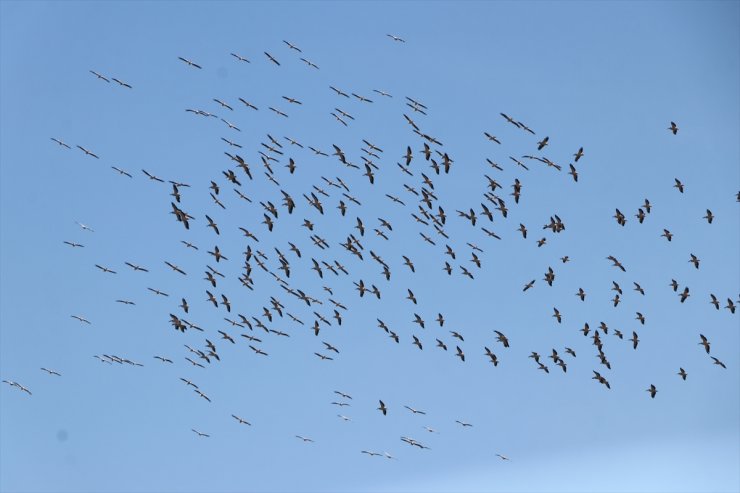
column 314, row 307
